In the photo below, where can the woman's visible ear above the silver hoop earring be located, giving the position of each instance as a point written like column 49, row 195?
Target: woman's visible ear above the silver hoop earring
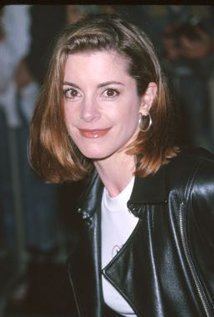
column 148, row 98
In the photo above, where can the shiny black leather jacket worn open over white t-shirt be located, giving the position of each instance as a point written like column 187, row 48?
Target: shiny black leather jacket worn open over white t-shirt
column 166, row 268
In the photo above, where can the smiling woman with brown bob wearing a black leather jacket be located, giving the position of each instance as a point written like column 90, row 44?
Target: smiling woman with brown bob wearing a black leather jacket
column 145, row 243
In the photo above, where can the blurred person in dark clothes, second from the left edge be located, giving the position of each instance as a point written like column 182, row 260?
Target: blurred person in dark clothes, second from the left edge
column 39, row 200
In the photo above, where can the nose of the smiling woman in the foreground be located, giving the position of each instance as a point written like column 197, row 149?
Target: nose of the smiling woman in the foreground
column 89, row 110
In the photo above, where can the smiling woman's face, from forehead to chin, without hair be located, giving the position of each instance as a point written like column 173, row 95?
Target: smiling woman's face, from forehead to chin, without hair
column 101, row 103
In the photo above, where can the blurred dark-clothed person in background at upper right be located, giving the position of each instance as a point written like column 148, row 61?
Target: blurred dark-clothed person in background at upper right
column 189, row 61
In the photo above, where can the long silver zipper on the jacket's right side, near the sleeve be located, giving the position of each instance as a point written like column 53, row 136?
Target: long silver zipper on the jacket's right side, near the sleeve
column 191, row 264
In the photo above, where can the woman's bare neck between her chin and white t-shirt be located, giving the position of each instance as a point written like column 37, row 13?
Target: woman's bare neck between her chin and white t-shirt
column 116, row 172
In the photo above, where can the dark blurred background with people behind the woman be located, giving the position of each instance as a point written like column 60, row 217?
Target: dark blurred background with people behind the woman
column 37, row 222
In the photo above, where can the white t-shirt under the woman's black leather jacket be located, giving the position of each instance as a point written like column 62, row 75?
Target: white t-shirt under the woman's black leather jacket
column 117, row 225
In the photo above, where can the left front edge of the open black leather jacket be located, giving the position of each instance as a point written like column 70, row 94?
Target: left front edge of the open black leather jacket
column 84, row 262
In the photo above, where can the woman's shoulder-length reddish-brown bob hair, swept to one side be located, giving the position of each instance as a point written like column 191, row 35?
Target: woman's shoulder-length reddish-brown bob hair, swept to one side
column 53, row 154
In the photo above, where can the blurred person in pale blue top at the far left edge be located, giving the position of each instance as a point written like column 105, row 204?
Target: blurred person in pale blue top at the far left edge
column 14, row 23
